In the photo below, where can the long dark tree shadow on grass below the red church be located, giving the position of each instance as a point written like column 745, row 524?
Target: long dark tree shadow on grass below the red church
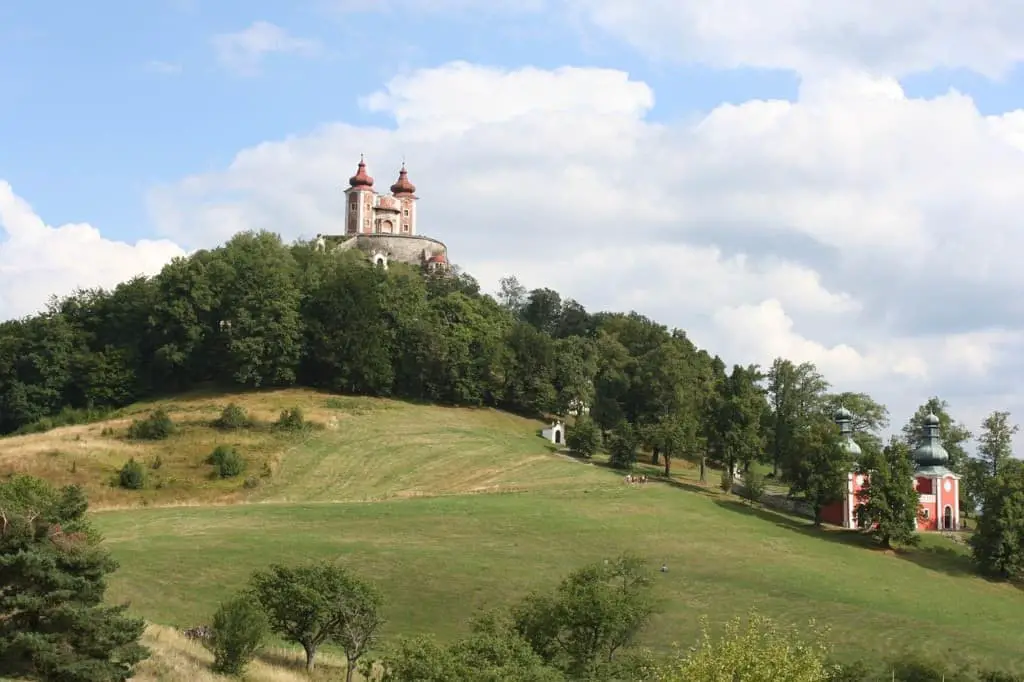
column 943, row 560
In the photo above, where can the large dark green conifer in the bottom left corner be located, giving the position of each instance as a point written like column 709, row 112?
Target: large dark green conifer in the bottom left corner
column 54, row 622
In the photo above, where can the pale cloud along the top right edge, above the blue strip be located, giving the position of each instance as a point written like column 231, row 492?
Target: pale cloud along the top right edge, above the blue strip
column 817, row 36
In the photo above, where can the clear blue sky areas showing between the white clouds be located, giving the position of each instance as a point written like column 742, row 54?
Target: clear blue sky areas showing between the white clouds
column 103, row 100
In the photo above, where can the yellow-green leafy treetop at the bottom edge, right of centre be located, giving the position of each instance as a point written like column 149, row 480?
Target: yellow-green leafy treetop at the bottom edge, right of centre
column 759, row 652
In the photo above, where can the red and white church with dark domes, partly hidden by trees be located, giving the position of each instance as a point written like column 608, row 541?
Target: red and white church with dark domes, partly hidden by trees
column 938, row 488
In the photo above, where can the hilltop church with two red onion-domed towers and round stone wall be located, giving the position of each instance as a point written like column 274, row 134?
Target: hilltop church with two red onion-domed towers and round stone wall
column 385, row 226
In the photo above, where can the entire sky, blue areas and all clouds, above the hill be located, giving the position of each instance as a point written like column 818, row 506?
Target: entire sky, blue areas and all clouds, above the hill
column 833, row 182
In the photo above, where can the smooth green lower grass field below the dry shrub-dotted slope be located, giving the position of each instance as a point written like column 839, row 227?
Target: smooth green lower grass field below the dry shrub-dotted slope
column 439, row 560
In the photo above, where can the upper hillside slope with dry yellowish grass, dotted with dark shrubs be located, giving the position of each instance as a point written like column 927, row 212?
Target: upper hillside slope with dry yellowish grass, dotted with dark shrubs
column 364, row 449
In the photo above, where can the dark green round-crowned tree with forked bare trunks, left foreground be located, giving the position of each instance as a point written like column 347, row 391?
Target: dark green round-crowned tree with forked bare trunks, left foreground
column 321, row 603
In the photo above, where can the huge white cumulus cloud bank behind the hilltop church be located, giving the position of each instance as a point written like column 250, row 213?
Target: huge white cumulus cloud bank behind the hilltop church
column 854, row 228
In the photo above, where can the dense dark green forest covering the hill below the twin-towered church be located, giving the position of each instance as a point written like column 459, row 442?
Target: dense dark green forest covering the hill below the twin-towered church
column 258, row 313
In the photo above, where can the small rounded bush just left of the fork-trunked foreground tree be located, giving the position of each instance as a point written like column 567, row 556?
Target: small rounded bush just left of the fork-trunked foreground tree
column 240, row 628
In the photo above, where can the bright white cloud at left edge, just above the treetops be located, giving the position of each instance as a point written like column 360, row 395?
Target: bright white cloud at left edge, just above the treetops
column 37, row 261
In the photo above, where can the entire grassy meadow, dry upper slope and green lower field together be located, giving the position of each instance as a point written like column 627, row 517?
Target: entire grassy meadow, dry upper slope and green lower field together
column 454, row 510
